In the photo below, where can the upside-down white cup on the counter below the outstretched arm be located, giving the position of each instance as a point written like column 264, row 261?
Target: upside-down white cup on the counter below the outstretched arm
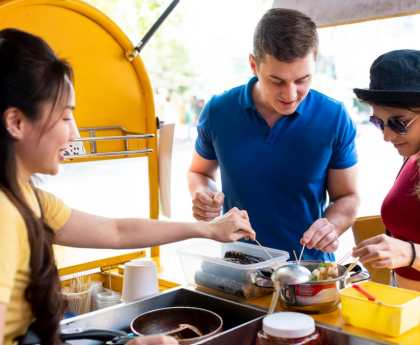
column 140, row 280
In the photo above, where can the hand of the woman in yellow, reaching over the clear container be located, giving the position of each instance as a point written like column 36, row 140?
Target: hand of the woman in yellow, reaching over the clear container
column 226, row 228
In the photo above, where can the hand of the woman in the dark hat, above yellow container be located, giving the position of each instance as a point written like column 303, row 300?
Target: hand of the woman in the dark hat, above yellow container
column 387, row 252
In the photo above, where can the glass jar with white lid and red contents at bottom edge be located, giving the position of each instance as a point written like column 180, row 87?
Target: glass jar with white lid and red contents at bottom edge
column 288, row 328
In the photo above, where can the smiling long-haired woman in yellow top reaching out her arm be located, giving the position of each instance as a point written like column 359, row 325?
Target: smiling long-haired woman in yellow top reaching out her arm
column 36, row 104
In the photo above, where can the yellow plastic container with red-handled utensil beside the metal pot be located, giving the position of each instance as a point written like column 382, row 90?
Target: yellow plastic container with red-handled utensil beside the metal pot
column 399, row 312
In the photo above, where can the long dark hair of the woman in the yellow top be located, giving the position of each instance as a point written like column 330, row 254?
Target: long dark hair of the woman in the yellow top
column 30, row 76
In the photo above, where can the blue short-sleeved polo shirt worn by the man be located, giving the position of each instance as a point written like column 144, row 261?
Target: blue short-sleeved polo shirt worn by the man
column 279, row 176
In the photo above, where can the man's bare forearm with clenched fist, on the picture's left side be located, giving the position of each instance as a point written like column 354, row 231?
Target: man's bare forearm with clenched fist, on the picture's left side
column 207, row 201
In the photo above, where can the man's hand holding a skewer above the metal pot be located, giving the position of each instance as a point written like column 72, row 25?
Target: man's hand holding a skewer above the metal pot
column 321, row 236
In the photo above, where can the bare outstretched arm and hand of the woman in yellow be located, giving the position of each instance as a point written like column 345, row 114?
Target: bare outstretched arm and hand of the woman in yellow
column 88, row 231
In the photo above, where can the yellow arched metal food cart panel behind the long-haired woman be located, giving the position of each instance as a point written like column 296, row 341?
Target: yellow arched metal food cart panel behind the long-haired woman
column 110, row 90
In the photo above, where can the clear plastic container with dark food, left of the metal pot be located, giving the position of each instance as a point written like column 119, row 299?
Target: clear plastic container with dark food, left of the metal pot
column 203, row 267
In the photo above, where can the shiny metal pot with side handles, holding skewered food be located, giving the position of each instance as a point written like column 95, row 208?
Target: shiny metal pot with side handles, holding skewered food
column 314, row 297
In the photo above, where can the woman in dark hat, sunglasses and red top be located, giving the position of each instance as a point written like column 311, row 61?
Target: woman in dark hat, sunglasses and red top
column 394, row 95
